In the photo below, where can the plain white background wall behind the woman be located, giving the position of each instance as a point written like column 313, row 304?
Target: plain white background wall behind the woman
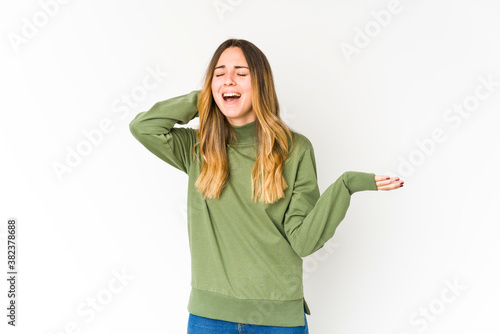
column 121, row 209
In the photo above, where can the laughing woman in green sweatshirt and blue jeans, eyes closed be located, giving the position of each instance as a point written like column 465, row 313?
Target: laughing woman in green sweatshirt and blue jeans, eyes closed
column 254, row 207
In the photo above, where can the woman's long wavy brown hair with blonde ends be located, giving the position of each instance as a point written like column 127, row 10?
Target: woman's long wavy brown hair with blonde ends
column 214, row 133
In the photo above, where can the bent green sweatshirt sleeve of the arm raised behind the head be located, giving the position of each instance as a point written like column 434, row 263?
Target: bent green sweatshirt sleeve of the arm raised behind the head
column 155, row 130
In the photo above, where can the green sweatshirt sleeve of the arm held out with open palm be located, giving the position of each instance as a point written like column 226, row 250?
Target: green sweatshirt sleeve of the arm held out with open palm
column 311, row 220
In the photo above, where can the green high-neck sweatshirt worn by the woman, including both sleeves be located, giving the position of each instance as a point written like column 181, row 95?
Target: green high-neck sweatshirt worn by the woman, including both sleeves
column 246, row 257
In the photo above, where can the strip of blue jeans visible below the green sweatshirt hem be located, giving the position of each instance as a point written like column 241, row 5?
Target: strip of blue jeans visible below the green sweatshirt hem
column 202, row 325
